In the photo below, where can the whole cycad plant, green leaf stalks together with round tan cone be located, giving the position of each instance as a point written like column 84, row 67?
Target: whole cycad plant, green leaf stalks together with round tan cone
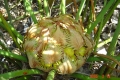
column 60, row 43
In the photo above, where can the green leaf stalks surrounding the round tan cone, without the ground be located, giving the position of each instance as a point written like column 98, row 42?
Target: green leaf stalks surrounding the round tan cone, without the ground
column 90, row 21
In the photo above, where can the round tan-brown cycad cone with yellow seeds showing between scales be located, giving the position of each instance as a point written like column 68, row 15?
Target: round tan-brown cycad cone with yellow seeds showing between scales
column 57, row 43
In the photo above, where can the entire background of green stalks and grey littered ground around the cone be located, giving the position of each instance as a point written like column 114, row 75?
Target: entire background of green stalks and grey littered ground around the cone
column 100, row 18
